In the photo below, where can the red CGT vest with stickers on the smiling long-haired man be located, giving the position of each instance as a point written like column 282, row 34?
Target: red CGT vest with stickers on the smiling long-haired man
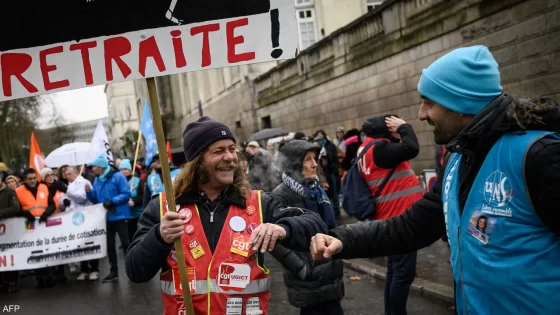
column 228, row 280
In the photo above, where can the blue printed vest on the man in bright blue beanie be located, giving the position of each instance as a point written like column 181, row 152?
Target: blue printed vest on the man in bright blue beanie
column 505, row 260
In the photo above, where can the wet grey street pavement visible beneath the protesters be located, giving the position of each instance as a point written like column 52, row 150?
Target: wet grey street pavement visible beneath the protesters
column 364, row 295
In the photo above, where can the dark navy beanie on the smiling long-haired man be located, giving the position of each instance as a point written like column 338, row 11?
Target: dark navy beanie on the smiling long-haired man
column 200, row 134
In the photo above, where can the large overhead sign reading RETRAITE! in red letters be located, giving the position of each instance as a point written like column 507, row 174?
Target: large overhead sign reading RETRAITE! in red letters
column 69, row 44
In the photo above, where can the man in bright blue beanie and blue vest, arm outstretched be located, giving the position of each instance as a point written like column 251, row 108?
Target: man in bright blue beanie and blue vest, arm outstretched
column 499, row 202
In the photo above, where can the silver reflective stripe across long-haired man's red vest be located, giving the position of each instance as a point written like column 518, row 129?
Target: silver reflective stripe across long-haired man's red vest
column 254, row 287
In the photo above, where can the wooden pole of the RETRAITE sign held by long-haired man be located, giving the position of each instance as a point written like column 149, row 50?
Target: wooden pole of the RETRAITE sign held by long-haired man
column 166, row 173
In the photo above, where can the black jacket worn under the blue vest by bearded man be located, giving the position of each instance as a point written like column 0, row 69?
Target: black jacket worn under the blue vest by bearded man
column 424, row 223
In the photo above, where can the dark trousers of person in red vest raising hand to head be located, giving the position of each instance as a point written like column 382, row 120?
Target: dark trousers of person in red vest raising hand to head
column 401, row 270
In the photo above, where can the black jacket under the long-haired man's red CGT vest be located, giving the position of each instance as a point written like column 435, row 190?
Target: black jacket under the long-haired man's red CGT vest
column 147, row 253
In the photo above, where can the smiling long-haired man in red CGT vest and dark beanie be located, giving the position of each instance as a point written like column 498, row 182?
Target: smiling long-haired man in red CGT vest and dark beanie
column 225, row 229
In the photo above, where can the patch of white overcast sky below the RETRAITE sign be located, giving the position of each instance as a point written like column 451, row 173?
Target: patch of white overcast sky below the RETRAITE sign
column 79, row 105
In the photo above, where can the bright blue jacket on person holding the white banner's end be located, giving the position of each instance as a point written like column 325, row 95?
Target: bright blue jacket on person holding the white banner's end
column 116, row 189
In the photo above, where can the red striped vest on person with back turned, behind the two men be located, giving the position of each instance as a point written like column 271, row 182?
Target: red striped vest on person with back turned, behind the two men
column 402, row 190
